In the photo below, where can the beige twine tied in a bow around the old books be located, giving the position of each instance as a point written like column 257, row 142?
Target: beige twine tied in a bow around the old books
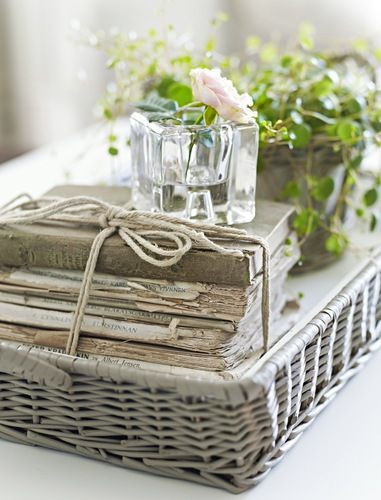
column 158, row 239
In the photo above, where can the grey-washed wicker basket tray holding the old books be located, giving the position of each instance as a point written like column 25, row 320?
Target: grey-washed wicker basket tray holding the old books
column 227, row 434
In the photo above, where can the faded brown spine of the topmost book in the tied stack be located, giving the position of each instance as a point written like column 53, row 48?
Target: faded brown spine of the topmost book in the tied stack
column 20, row 248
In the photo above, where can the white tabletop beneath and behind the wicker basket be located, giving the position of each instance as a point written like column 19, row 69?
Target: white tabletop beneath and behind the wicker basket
column 337, row 458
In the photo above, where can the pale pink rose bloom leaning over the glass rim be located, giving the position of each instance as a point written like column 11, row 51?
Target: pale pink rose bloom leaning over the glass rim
column 212, row 89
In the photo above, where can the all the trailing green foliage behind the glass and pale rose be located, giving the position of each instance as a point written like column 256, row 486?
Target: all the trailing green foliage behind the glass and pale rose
column 307, row 100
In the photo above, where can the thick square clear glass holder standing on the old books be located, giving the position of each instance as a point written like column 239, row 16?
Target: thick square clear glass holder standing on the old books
column 197, row 172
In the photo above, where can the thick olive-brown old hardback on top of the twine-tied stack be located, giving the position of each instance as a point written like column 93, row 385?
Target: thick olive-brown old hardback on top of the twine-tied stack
column 66, row 247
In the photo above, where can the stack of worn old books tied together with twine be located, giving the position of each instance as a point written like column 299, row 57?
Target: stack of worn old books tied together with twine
column 203, row 313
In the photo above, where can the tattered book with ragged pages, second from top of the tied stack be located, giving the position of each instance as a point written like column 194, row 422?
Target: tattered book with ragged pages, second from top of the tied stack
column 142, row 296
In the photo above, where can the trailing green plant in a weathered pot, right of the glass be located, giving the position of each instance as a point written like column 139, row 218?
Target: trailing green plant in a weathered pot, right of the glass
column 330, row 108
